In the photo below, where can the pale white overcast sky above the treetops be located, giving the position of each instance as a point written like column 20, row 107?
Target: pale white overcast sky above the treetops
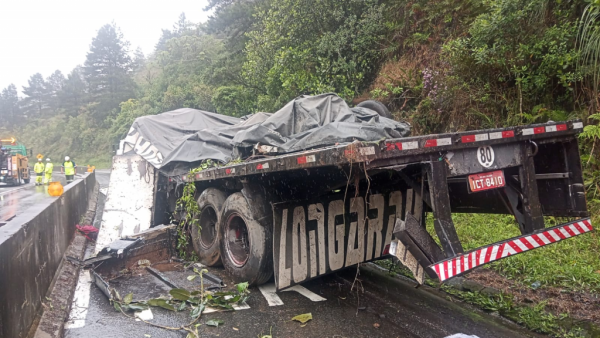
column 46, row 35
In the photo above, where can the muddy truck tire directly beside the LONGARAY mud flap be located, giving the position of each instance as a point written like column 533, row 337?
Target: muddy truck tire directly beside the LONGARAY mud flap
column 246, row 245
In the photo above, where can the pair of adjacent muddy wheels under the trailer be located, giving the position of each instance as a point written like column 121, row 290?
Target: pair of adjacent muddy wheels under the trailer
column 229, row 234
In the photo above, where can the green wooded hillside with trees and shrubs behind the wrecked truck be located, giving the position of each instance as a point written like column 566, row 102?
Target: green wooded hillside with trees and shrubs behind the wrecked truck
column 442, row 65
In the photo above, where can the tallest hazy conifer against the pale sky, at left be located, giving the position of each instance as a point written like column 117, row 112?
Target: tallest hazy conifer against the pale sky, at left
column 108, row 69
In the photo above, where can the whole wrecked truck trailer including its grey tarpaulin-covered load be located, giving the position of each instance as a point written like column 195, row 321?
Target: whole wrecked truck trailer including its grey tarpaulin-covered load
column 309, row 200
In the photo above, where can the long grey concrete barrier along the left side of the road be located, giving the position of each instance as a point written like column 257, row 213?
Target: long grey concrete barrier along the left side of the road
column 31, row 249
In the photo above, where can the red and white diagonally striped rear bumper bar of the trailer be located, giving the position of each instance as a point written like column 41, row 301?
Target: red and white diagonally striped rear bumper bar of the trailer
column 454, row 266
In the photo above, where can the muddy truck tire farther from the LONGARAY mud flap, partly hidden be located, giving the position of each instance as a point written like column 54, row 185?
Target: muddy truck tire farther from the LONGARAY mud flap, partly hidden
column 205, row 234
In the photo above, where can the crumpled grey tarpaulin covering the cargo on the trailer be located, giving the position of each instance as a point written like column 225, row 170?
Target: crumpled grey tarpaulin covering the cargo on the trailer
column 178, row 140
